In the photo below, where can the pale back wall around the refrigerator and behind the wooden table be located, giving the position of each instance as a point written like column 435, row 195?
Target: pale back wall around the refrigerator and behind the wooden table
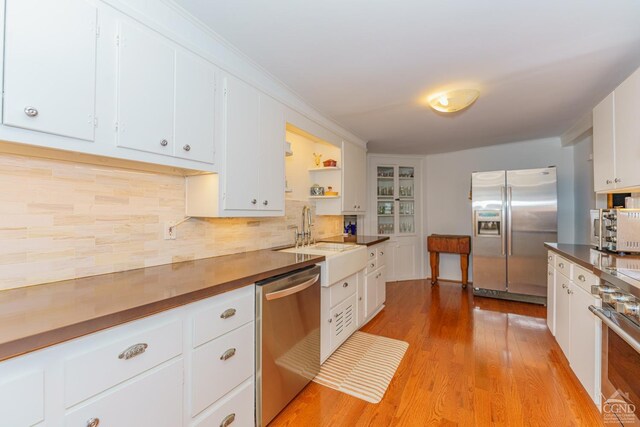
column 447, row 179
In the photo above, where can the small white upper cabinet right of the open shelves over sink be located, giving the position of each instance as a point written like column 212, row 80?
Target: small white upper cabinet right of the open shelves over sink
column 354, row 178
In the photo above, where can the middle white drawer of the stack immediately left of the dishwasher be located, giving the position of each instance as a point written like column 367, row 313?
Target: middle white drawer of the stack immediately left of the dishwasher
column 220, row 365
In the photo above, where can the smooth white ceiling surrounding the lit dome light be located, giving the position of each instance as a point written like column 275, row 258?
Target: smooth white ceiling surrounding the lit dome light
column 540, row 65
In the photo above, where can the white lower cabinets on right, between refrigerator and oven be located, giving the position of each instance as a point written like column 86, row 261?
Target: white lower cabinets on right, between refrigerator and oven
column 577, row 330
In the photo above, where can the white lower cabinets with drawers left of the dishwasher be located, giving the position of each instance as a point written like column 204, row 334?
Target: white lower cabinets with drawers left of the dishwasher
column 192, row 365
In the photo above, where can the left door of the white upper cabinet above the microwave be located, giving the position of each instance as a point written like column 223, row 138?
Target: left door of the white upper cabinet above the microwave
column 604, row 167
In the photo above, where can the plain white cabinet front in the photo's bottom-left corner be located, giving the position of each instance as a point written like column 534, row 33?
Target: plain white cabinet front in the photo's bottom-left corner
column 22, row 400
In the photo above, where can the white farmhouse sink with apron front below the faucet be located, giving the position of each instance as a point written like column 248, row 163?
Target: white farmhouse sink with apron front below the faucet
column 343, row 259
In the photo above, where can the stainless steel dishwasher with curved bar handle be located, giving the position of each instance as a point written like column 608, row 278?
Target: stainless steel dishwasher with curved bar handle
column 287, row 339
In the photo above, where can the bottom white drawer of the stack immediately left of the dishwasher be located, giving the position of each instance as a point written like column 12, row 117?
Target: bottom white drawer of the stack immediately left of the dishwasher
column 236, row 409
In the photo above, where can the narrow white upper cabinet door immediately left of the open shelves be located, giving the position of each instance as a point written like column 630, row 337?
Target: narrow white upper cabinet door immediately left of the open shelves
column 271, row 162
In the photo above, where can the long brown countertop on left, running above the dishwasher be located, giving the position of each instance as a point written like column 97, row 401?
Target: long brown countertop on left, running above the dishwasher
column 39, row 316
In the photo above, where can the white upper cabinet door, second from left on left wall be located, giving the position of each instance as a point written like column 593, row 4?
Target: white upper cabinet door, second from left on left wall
column 145, row 90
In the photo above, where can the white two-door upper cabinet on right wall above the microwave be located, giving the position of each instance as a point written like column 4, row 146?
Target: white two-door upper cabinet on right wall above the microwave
column 616, row 133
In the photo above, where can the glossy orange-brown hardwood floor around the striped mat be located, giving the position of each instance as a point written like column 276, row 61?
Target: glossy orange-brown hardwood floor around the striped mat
column 471, row 362
